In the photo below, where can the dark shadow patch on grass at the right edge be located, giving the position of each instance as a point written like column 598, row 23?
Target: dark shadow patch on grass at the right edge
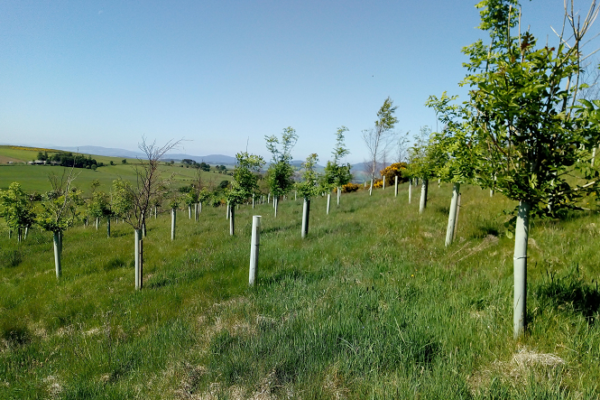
column 569, row 291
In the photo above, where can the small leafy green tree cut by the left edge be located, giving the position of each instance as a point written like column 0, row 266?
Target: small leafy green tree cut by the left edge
column 16, row 208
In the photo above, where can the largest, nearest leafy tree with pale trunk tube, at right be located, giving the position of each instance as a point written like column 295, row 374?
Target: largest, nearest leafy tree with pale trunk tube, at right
column 521, row 107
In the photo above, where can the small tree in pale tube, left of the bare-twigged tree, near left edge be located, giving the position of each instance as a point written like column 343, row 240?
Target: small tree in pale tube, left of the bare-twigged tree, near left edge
column 59, row 210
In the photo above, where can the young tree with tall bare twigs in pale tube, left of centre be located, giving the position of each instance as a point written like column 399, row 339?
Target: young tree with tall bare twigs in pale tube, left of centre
column 133, row 201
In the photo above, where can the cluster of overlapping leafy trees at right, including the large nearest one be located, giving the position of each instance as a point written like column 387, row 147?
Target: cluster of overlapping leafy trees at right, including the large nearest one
column 523, row 131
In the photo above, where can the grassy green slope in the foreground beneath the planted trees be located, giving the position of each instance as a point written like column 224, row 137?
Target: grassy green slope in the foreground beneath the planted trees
column 371, row 305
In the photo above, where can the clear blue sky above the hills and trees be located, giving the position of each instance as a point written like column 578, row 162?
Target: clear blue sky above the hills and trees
column 104, row 73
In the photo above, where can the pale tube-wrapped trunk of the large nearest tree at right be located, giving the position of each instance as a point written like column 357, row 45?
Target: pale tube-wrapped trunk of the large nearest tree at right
column 520, row 270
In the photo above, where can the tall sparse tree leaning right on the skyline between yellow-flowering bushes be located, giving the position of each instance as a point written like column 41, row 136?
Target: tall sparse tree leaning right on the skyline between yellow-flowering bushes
column 379, row 138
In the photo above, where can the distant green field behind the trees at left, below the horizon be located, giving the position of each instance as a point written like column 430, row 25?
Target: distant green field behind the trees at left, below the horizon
column 35, row 177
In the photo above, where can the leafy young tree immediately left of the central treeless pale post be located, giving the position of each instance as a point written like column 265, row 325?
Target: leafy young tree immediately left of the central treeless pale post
column 245, row 183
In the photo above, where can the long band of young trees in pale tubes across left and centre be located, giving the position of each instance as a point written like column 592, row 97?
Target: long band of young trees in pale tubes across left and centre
column 134, row 203
